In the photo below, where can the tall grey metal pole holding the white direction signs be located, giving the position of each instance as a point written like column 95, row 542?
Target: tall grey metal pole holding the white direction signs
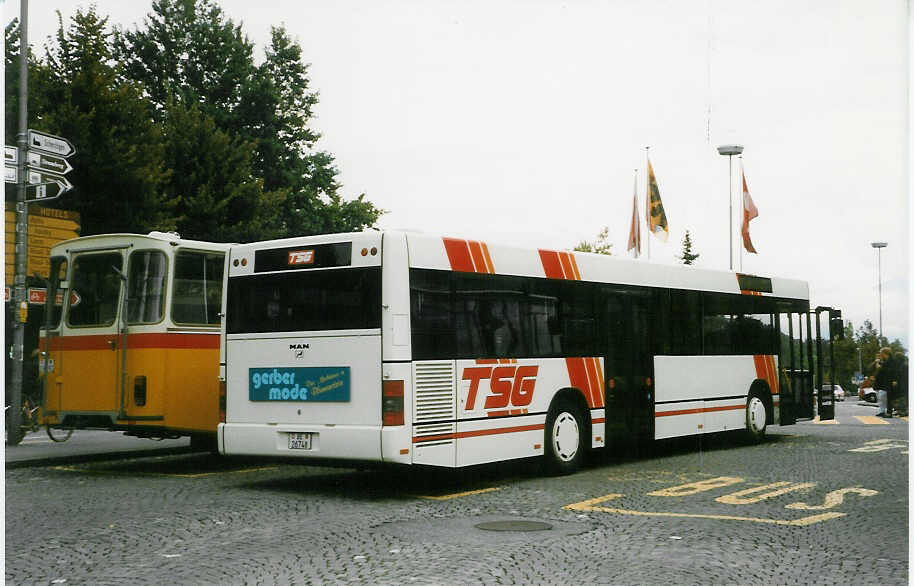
column 20, row 302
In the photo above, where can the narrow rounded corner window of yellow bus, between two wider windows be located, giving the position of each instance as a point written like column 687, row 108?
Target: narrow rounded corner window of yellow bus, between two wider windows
column 146, row 287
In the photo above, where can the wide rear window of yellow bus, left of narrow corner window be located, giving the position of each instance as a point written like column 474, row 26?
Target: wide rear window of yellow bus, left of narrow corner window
column 96, row 287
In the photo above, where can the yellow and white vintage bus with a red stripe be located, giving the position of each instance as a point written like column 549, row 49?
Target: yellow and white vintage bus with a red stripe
column 131, row 341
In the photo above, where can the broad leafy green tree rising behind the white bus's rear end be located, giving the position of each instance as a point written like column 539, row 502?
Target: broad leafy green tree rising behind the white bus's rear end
column 190, row 55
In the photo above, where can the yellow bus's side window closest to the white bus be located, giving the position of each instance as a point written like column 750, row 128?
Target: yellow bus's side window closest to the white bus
column 197, row 295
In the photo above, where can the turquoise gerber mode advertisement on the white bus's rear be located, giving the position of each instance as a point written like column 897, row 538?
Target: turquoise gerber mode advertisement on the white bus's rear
column 323, row 383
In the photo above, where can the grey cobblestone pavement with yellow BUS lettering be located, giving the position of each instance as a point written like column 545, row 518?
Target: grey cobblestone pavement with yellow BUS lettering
column 815, row 504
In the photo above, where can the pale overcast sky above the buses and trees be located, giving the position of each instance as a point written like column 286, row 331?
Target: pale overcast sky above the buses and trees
column 523, row 122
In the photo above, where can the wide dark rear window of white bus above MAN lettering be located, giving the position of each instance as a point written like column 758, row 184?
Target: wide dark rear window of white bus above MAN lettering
column 336, row 299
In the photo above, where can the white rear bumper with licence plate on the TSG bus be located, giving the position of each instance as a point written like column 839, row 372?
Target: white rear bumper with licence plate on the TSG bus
column 337, row 442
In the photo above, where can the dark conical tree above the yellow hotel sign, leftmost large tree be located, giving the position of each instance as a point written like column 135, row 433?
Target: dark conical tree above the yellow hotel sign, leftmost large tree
column 118, row 170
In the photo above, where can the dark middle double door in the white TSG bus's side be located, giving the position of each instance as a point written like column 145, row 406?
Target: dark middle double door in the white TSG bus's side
column 628, row 342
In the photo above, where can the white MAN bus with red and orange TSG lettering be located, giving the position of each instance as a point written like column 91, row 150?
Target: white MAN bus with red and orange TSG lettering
column 413, row 349
